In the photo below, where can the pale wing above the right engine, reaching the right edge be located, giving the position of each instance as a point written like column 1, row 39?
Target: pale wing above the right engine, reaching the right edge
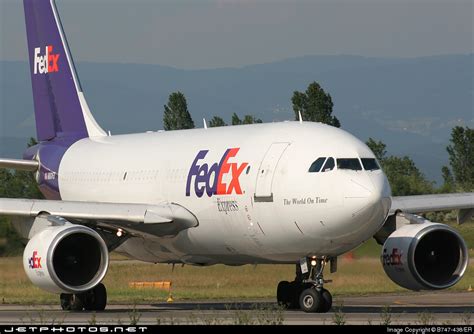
column 464, row 202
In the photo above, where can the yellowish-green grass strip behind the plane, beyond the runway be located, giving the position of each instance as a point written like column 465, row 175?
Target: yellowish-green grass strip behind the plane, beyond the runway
column 354, row 277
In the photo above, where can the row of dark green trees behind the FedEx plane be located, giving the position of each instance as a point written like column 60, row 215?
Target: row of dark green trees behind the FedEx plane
column 314, row 105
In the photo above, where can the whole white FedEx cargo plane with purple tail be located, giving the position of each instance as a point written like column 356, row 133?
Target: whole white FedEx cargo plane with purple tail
column 293, row 192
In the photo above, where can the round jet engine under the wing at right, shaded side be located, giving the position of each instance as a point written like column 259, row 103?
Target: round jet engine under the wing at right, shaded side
column 427, row 256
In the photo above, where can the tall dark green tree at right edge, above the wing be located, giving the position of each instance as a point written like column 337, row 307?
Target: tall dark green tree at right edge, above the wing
column 461, row 157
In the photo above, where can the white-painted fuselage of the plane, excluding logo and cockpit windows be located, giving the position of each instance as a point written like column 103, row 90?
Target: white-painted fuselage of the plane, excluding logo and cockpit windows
column 311, row 213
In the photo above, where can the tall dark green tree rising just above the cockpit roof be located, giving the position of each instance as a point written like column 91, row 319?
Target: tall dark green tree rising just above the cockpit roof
column 315, row 105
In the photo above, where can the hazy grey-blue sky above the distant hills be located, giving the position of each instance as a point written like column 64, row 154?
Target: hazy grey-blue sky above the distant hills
column 197, row 34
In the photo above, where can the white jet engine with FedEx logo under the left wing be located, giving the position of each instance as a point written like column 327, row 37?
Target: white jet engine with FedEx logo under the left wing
column 68, row 258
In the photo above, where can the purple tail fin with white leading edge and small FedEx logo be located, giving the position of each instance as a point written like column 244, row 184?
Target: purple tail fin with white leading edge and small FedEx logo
column 60, row 107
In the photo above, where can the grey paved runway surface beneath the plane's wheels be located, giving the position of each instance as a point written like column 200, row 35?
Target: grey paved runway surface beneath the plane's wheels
column 410, row 308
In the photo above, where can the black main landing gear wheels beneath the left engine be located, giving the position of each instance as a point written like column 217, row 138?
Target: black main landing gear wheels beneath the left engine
column 92, row 300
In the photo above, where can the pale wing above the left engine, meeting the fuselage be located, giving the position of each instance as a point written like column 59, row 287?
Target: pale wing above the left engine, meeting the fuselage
column 165, row 219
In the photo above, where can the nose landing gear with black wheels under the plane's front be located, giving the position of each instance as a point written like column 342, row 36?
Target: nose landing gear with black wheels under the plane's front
column 306, row 291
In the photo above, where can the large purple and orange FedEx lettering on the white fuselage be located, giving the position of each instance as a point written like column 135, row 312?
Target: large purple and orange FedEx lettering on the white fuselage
column 210, row 179
